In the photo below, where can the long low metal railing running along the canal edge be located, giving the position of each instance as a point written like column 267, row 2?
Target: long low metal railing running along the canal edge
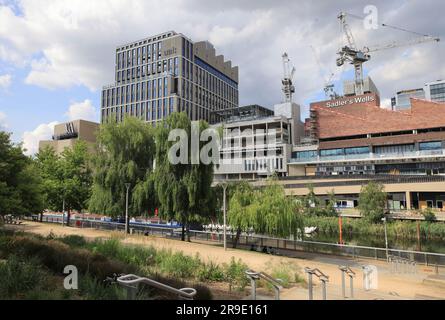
column 284, row 245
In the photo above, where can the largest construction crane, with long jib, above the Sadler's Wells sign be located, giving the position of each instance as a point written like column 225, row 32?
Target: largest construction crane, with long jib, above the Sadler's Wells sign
column 350, row 53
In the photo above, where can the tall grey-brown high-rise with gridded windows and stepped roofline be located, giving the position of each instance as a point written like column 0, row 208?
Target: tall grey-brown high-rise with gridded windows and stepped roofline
column 168, row 73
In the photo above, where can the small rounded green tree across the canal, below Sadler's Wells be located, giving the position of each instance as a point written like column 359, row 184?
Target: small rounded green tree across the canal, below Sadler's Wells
column 372, row 202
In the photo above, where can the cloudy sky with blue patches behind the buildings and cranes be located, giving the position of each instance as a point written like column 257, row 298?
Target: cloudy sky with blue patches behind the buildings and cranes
column 55, row 55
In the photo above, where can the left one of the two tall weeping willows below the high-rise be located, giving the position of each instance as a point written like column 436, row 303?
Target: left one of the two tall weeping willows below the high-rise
column 125, row 155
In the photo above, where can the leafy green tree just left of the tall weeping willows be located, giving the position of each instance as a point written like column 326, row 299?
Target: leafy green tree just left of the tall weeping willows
column 66, row 178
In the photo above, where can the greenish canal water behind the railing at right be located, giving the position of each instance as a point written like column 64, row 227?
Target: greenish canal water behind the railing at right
column 425, row 245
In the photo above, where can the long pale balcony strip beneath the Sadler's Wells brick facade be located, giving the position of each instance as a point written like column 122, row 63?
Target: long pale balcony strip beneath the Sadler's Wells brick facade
column 373, row 156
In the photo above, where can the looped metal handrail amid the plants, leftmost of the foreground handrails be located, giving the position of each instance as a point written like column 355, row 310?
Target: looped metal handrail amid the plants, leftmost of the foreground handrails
column 131, row 283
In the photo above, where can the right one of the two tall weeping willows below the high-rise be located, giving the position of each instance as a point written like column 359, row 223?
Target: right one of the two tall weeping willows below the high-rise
column 183, row 189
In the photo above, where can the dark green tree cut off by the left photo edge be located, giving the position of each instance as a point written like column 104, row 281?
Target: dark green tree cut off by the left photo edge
column 20, row 182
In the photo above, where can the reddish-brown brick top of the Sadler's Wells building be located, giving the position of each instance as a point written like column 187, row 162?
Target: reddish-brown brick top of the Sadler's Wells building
column 366, row 118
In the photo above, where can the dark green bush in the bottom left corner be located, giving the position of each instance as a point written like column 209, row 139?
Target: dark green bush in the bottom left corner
column 18, row 276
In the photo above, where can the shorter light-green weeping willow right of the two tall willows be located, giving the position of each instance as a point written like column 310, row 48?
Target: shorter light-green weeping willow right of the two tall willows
column 268, row 211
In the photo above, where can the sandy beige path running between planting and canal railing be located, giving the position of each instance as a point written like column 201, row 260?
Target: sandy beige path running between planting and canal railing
column 390, row 285
